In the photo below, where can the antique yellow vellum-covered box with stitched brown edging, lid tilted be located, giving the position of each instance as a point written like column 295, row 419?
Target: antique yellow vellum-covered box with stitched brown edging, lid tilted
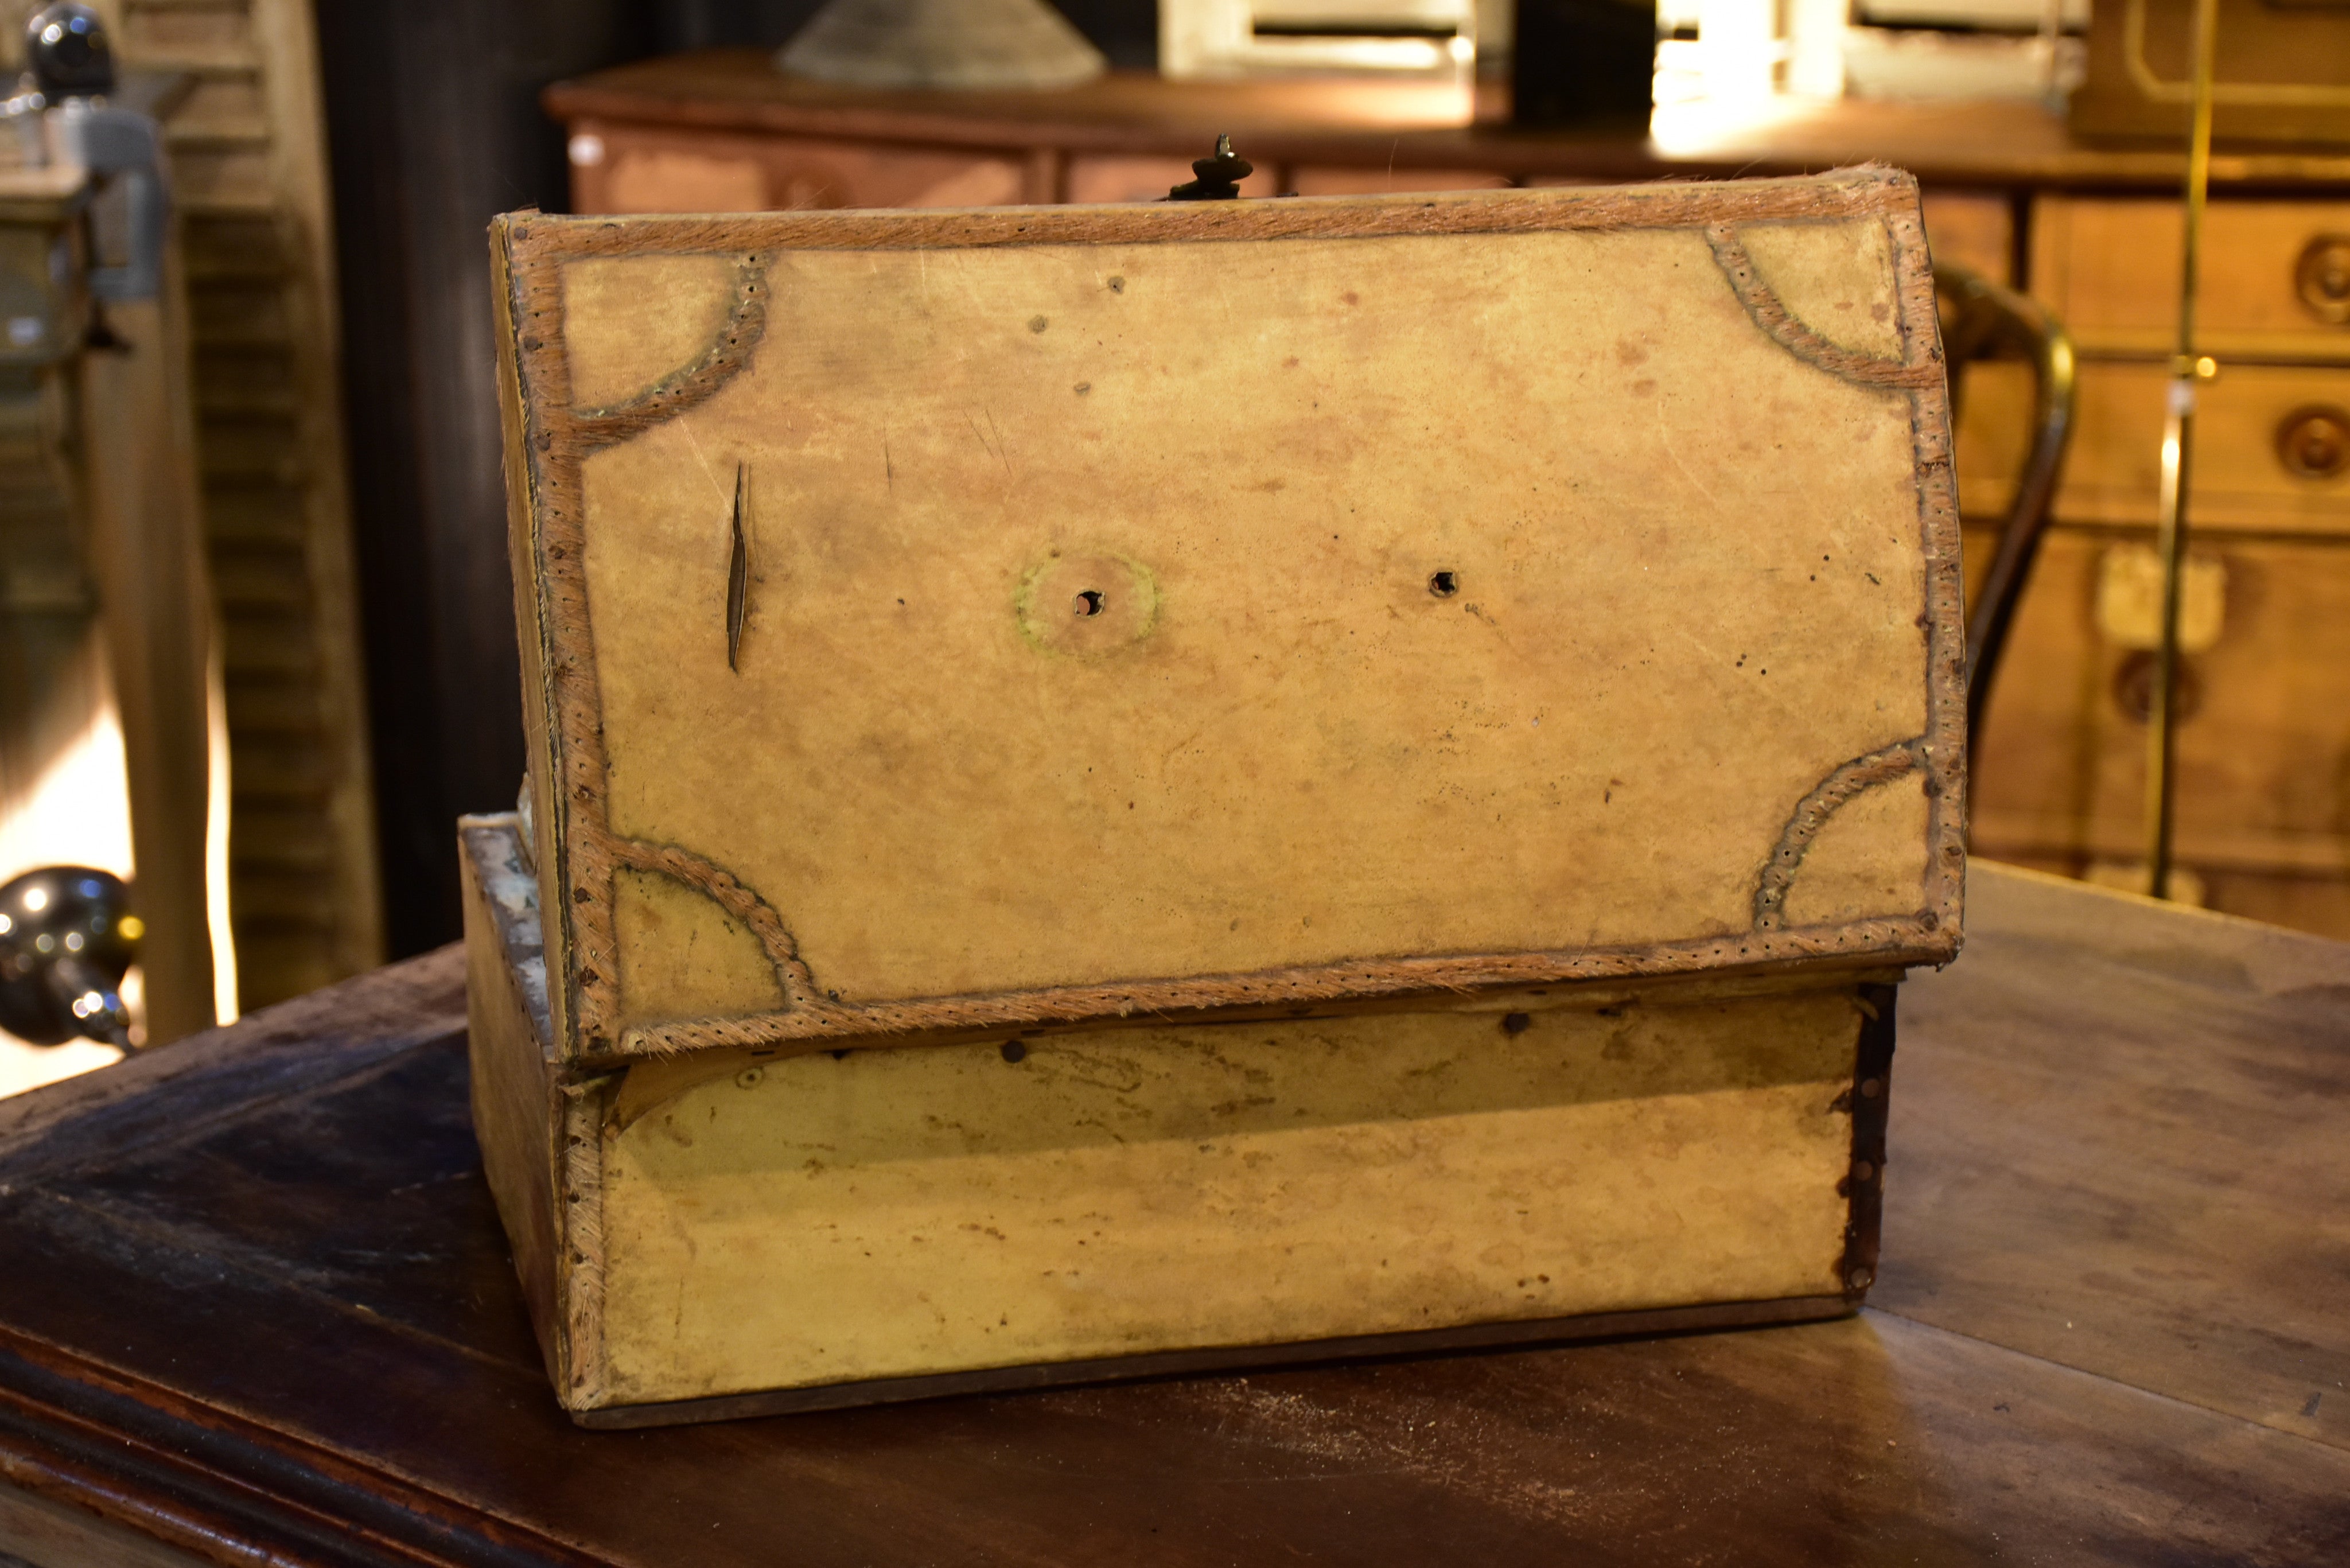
column 1176, row 786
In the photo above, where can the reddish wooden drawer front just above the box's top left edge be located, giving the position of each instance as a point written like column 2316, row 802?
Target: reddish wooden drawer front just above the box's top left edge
column 624, row 168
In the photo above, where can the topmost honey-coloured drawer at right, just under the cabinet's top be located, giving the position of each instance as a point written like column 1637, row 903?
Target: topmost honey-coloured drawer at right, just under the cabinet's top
column 2271, row 281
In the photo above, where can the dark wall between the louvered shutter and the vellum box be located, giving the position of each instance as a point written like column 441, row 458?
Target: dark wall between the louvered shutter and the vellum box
column 434, row 128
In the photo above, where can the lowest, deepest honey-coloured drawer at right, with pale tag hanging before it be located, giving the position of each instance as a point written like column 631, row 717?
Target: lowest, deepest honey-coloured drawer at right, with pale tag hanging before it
column 2264, row 753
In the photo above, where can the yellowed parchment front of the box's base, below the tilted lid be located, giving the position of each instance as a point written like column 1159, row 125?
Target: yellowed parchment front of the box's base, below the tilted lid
column 908, row 1212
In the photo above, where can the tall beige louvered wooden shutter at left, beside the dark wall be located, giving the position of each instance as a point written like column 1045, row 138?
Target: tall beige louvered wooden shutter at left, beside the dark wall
column 264, row 488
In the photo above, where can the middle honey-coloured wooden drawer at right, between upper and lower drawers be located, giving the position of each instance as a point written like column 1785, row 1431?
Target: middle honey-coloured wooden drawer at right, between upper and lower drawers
column 2271, row 448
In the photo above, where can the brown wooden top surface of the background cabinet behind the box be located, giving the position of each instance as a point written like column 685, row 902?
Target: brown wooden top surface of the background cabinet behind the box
column 1418, row 128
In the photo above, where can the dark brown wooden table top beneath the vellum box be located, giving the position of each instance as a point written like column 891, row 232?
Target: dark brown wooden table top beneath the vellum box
column 255, row 1306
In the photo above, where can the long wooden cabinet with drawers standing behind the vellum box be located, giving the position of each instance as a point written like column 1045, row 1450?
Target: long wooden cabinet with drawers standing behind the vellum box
column 2264, row 803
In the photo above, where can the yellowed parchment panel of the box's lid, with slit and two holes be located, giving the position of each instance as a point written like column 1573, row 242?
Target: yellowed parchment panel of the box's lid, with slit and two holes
column 1096, row 626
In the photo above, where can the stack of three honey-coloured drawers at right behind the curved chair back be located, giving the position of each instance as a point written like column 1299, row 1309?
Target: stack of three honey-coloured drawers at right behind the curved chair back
column 2264, row 786
